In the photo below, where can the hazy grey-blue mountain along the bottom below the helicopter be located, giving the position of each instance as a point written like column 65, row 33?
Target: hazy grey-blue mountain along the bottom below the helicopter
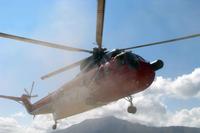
column 114, row 125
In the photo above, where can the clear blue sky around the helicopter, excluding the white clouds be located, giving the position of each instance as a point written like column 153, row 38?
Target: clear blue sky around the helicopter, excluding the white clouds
column 127, row 23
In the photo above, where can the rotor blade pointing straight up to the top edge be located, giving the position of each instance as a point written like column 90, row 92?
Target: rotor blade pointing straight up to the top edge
column 100, row 22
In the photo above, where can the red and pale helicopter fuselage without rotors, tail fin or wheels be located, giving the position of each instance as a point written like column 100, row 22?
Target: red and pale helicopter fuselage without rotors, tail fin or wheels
column 113, row 80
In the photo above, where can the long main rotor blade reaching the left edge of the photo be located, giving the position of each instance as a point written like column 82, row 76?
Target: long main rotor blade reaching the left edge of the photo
column 43, row 43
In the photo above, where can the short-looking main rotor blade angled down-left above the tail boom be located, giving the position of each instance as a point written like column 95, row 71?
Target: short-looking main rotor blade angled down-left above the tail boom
column 62, row 69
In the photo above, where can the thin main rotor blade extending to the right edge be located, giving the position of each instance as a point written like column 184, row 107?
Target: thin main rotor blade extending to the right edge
column 163, row 42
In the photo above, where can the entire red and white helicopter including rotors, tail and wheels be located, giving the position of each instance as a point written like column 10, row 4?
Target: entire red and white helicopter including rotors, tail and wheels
column 105, row 76
